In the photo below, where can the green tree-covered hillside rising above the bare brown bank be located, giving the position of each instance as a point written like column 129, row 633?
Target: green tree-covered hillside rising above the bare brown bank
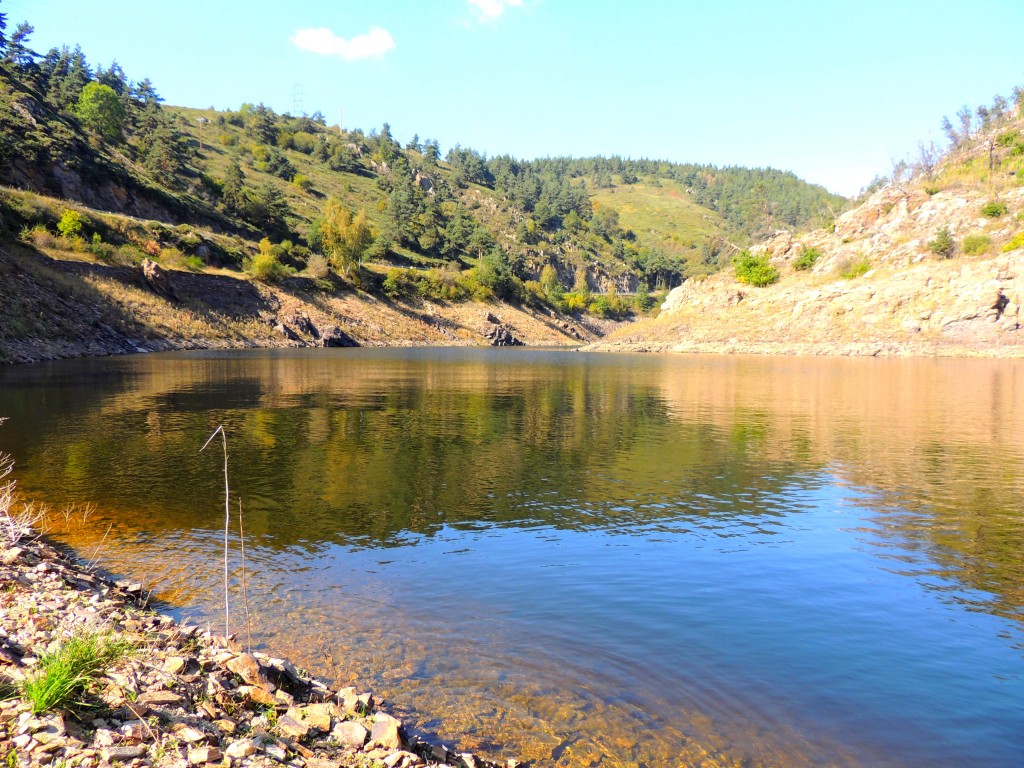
column 398, row 223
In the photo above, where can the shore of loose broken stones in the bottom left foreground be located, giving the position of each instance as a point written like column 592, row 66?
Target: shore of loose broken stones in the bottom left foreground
column 180, row 697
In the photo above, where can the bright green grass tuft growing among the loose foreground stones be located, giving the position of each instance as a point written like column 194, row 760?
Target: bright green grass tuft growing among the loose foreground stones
column 65, row 675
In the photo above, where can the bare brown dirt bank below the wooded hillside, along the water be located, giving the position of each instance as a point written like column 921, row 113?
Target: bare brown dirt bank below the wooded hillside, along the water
column 54, row 308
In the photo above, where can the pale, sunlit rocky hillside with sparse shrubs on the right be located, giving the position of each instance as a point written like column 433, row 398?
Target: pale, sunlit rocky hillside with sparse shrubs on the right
column 932, row 266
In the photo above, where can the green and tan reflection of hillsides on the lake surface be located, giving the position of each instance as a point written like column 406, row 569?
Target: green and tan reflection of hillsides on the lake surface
column 365, row 449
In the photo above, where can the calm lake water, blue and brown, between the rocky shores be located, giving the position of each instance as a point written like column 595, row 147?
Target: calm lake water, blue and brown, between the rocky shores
column 580, row 560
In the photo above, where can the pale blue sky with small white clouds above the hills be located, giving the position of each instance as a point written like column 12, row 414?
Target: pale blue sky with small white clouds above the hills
column 834, row 92
